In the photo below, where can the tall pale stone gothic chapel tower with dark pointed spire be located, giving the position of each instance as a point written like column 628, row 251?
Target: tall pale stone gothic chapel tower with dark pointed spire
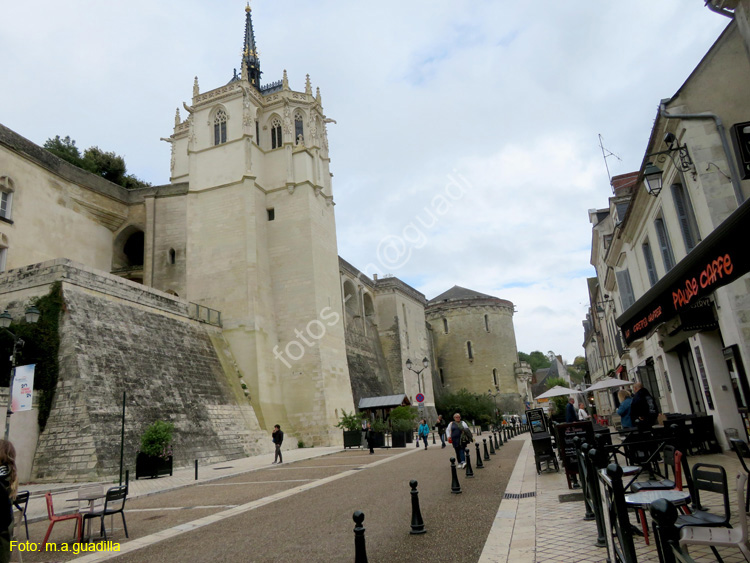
column 260, row 242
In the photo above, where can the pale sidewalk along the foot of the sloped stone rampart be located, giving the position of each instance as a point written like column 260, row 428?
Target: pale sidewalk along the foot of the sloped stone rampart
column 62, row 492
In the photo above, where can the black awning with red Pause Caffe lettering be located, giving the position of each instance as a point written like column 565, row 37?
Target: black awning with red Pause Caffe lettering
column 722, row 257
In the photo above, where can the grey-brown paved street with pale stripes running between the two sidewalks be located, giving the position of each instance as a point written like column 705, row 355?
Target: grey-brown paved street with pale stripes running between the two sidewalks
column 274, row 513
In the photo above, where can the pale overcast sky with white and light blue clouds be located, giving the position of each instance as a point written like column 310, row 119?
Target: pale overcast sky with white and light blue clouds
column 466, row 150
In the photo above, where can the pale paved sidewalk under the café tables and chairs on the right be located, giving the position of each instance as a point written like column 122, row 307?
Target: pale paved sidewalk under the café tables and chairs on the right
column 533, row 525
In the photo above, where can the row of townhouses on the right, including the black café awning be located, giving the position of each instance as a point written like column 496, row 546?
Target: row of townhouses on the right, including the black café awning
column 669, row 305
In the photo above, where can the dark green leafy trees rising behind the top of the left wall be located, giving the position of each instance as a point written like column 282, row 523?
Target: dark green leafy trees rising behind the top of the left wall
column 108, row 165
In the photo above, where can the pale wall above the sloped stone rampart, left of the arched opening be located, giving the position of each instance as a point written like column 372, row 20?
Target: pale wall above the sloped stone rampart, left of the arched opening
column 78, row 222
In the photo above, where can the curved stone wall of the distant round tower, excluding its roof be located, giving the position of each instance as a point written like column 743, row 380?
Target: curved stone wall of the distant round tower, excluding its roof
column 495, row 349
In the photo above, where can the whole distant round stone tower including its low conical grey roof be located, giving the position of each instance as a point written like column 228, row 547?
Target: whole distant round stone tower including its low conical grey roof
column 474, row 342
